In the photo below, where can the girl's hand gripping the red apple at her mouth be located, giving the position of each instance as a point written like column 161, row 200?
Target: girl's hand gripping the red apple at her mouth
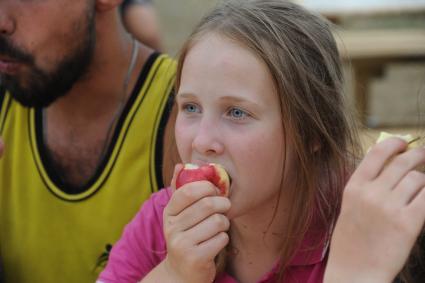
column 195, row 231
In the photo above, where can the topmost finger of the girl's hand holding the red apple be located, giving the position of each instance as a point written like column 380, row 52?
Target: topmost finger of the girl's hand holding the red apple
column 187, row 195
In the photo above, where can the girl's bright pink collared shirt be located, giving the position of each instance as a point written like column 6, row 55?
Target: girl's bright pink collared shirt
column 142, row 247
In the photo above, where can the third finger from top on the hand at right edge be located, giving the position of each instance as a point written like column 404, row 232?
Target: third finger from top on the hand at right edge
column 408, row 187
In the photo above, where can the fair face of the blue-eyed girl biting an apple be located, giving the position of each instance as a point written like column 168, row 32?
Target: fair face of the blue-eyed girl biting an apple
column 229, row 113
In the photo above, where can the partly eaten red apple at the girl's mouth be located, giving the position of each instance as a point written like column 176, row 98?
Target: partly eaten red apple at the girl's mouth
column 214, row 173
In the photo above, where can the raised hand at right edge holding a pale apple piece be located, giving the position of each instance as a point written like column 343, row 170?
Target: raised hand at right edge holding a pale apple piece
column 383, row 212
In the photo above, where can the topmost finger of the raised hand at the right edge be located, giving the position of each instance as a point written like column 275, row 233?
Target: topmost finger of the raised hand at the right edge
column 377, row 158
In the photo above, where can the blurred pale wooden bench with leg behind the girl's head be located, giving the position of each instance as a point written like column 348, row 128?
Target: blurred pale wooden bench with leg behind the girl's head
column 368, row 51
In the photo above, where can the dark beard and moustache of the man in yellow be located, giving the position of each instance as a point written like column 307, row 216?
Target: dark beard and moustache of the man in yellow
column 41, row 88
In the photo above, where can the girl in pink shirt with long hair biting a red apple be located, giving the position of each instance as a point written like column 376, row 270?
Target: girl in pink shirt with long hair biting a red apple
column 258, row 91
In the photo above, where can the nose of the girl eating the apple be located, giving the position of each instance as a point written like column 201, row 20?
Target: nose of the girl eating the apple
column 208, row 140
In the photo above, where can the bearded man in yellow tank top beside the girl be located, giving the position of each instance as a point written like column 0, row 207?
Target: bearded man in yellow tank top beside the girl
column 83, row 116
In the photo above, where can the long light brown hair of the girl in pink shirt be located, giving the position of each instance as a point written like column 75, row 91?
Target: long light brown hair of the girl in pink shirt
column 301, row 54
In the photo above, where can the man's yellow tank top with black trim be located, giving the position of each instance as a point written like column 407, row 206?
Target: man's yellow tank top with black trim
column 48, row 235
